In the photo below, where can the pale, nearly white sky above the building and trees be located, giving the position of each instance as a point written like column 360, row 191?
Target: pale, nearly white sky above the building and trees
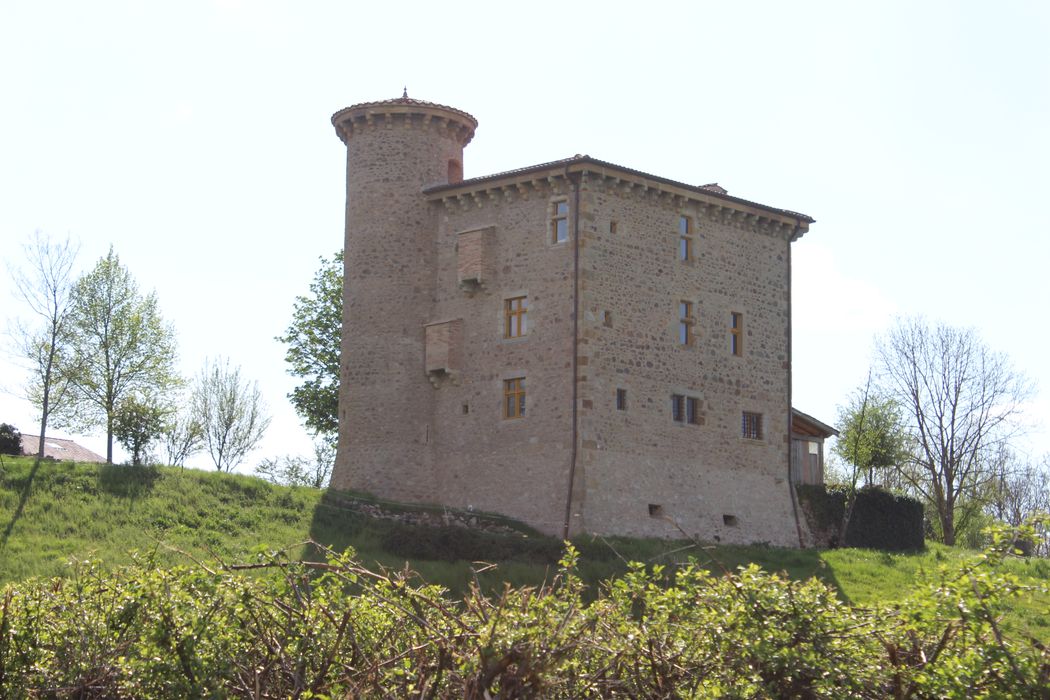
column 195, row 138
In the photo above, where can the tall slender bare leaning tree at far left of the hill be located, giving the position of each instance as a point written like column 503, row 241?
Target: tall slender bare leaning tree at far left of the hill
column 46, row 285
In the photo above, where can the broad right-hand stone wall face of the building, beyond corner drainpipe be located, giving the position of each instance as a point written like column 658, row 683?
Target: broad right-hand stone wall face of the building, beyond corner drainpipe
column 704, row 479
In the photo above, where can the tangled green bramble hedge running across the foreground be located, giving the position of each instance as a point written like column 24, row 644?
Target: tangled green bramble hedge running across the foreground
column 277, row 628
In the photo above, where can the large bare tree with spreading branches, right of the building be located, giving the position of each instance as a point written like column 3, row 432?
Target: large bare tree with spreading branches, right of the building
column 962, row 402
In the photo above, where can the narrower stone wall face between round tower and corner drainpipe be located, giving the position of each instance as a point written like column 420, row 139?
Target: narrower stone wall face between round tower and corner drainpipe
column 515, row 466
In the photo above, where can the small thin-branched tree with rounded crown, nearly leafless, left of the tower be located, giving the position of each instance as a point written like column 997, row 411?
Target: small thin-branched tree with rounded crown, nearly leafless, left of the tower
column 230, row 412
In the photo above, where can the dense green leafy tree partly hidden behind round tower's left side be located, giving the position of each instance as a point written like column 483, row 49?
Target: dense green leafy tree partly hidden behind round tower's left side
column 313, row 349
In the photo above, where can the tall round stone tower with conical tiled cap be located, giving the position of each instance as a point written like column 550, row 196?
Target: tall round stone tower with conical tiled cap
column 395, row 150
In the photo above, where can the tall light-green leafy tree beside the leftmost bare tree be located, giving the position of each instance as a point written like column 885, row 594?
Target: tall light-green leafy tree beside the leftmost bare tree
column 120, row 346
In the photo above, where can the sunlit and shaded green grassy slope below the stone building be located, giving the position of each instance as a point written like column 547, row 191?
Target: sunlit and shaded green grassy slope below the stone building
column 54, row 513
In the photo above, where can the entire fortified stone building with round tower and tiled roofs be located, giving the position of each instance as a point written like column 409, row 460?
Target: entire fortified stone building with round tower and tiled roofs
column 577, row 345
